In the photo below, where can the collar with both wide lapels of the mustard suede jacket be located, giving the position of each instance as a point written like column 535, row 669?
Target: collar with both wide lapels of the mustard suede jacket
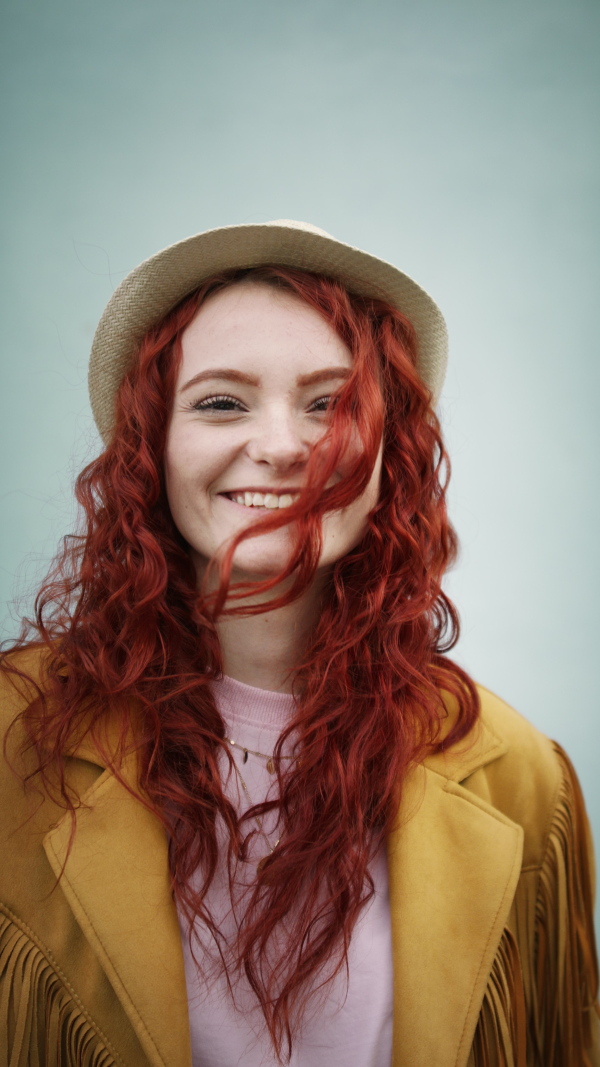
column 454, row 863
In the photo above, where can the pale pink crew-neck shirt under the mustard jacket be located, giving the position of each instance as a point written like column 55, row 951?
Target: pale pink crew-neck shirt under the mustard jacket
column 353, row 1026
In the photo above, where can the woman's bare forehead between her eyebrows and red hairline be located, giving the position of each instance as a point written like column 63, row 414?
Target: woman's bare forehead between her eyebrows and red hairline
column 252, row 326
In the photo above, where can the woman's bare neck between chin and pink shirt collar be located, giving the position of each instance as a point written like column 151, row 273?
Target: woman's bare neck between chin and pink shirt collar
column 264, row 650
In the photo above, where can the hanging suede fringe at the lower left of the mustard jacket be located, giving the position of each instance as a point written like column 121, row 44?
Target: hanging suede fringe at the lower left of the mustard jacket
column 42, row 1023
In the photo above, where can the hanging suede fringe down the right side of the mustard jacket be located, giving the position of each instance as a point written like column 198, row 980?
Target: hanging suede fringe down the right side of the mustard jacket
column 541, row 1005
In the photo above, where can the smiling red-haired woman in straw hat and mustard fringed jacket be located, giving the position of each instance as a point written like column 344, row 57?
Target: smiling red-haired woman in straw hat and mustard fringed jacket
column 251, row 811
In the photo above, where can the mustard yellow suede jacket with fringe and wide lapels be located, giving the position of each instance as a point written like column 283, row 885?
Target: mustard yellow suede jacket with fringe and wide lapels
column 492, row 898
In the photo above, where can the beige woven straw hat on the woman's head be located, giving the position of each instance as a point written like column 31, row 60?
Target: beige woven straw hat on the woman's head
column 160, row 283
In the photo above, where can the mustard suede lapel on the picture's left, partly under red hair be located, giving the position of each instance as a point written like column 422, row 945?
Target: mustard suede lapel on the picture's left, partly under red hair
column 117, row 883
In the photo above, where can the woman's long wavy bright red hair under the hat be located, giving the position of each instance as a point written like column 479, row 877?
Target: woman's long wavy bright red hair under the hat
column 128, row 633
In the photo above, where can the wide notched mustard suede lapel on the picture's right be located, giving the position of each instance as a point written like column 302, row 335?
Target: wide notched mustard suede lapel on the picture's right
column 454, row 864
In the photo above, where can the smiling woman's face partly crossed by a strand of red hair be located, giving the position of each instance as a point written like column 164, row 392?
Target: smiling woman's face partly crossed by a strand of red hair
column 251, row 397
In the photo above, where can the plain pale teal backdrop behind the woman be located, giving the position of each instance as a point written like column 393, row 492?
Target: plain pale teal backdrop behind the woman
column 459, row 140
